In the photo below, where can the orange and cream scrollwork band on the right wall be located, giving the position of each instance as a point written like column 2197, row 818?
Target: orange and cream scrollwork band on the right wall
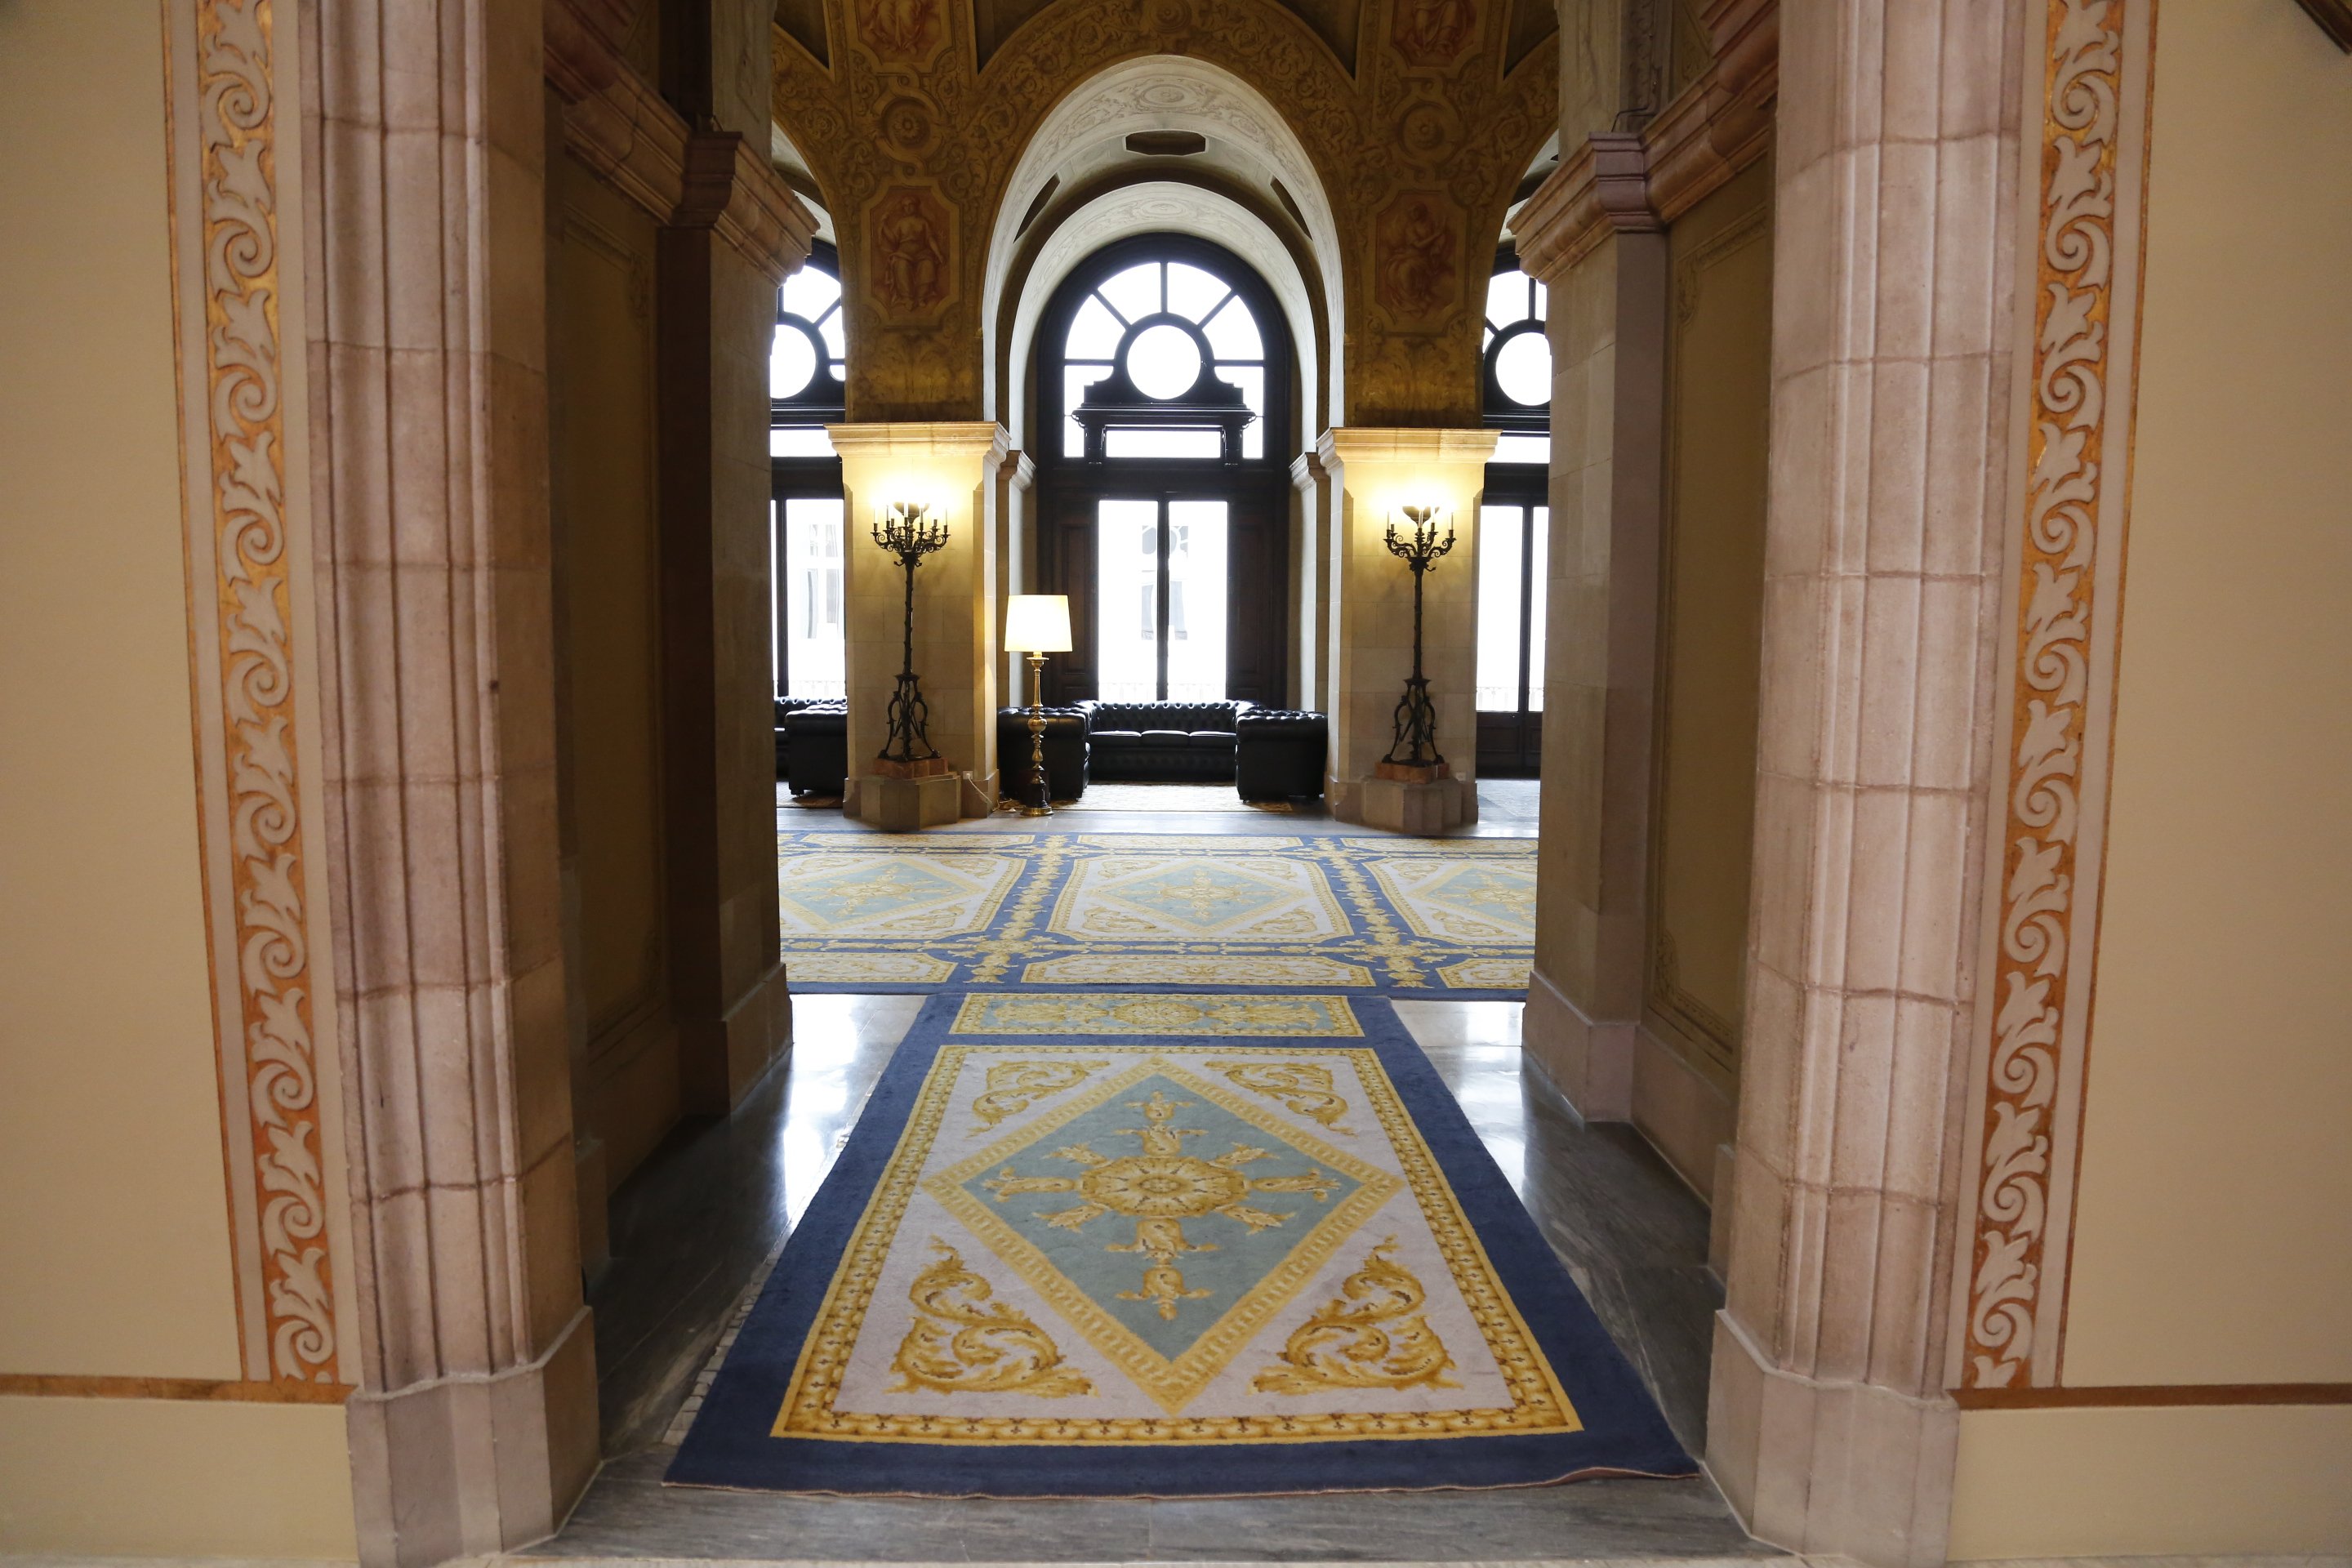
column 2080, row 274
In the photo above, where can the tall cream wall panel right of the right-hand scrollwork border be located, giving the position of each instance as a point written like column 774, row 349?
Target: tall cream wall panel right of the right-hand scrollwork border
column 2214, row 1231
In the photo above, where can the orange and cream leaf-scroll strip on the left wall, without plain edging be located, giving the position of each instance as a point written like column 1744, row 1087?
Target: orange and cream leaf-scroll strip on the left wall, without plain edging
column 246, row 420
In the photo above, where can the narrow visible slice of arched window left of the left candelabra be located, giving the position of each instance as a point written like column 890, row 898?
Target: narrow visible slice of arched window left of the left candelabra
column 806, row 382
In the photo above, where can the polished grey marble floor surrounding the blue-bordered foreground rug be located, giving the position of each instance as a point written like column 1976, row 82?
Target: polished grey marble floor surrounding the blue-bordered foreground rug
column 707, row 1214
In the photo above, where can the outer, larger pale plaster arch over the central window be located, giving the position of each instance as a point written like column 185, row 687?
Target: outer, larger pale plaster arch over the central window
column 1165, row 93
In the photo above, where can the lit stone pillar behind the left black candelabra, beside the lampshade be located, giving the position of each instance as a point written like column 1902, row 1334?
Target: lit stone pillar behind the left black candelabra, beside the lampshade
column 954, row 471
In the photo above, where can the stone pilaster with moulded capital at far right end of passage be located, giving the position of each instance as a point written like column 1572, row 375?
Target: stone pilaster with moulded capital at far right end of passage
column 1608, row 328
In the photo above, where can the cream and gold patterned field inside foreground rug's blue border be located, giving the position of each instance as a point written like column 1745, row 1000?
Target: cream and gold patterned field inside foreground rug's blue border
column 1161, row 1245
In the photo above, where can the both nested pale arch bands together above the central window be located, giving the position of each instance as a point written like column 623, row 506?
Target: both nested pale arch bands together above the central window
column 1168, row 95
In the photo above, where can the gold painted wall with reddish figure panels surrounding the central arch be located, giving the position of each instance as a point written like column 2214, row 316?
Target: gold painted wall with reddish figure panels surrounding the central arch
column 916, row 149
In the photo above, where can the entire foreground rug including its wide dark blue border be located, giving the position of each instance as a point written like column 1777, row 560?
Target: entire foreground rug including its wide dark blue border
column 1203, row 1245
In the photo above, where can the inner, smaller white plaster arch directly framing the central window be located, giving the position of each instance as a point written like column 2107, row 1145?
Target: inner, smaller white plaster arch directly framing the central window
column 1147, row 210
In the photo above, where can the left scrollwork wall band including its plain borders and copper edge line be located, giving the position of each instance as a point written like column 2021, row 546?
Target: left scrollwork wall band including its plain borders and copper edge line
column 229, row 163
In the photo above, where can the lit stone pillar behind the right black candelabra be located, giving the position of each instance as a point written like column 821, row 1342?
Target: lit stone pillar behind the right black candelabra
column 1372, row 622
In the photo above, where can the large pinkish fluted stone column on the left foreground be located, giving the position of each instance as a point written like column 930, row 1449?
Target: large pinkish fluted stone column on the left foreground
column 476, row 1423
